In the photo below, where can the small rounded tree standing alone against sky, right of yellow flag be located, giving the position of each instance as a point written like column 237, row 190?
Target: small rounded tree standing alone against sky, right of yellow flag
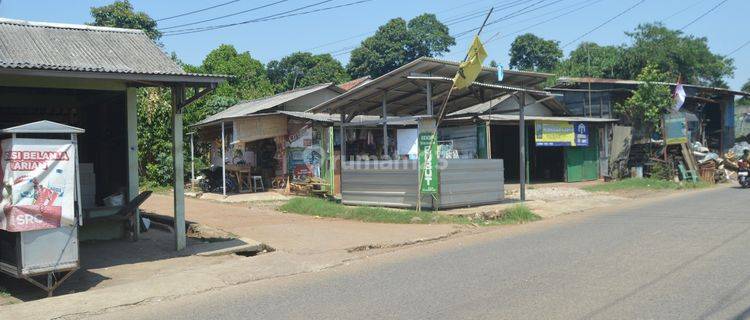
column 529, row 52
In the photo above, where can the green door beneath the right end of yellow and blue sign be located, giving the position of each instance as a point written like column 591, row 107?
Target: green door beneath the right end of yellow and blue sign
column 582, row 163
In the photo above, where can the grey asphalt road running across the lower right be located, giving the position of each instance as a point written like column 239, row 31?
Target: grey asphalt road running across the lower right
column 685, row 257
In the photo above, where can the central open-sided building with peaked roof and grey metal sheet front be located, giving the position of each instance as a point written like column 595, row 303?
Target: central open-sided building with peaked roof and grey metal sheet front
column 477, row 139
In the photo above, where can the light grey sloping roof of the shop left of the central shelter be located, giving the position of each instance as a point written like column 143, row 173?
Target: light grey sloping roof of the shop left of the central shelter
column 245, row 108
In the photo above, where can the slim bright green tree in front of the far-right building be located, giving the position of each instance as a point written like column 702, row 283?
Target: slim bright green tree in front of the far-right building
column 649, row 101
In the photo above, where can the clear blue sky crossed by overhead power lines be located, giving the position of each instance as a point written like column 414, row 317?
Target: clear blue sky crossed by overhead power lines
column 338, row 30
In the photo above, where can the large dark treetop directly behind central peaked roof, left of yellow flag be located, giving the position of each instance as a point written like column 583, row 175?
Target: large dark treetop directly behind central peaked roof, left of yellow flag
column 398, row 42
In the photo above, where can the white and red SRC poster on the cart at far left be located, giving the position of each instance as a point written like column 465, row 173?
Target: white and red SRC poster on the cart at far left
column 38, row 184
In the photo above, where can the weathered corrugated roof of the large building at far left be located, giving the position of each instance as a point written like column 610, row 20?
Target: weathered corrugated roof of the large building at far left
column 69, row 47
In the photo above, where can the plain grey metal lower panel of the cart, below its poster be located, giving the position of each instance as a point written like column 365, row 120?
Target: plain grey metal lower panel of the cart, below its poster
column 49, row 250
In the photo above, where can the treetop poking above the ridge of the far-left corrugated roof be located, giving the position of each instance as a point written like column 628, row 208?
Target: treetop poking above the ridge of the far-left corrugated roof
column 121, row 14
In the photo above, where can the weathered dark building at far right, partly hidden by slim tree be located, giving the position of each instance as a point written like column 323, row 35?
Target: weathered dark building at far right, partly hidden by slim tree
column 708, row 115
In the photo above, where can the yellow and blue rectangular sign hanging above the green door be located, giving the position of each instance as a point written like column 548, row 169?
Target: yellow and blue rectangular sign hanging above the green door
column 561, row 134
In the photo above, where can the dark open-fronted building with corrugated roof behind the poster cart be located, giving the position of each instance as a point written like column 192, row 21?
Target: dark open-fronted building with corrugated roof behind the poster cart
column 87, row 77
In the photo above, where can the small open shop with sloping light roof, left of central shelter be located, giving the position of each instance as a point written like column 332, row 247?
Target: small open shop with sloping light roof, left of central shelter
column 273, row 138
